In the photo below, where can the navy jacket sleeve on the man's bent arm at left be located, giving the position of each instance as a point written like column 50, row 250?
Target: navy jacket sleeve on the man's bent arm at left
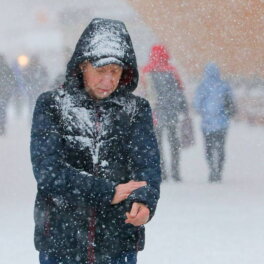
column 55, row 178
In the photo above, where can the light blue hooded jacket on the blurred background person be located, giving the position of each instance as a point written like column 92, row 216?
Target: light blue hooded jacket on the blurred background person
column 213, row 100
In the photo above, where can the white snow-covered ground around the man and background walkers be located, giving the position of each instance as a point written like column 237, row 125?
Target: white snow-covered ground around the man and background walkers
column 196, row 222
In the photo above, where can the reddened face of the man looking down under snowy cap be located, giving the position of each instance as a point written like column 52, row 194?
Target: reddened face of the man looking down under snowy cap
column 102, row 81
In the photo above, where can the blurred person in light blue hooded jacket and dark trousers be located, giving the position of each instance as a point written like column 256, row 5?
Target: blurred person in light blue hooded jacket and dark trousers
column 214, row 102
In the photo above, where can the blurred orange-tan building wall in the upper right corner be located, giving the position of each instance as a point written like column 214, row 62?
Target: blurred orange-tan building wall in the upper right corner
column 225, row 31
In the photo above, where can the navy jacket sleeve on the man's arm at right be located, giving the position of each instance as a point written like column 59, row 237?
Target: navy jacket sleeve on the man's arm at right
column 145, row 159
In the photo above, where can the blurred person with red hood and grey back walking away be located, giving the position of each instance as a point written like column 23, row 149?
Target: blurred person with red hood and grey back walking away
column 169, row 104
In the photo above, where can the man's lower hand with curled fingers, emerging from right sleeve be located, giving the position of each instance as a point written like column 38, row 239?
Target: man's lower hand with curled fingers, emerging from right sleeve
column 139, row 215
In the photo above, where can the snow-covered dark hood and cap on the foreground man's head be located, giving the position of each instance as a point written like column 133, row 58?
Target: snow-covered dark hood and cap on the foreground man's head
column 105, row 41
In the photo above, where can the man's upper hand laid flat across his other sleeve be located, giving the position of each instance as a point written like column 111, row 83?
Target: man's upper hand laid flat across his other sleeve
column 122, row 191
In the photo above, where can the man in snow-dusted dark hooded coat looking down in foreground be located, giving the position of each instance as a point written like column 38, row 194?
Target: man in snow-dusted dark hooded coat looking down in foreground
column 94, row 155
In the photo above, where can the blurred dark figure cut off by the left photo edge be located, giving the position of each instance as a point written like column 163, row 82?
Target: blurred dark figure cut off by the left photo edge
column 7, row 85
